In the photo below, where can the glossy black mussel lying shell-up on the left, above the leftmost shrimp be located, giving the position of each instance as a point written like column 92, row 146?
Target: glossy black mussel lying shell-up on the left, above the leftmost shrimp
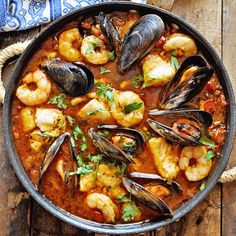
column 74, row 79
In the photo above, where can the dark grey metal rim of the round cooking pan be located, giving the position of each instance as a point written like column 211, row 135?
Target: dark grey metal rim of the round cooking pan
column 208, row 53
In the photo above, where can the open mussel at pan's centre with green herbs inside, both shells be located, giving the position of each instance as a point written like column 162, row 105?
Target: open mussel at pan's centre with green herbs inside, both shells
column 113, row 151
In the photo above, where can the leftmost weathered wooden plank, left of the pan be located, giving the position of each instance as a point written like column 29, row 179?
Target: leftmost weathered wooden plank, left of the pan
column 14, row 201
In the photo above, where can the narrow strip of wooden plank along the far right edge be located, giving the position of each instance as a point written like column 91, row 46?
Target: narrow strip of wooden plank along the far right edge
column 229, row 50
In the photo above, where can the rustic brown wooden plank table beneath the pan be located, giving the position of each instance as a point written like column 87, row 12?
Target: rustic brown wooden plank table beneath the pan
column 216, row 215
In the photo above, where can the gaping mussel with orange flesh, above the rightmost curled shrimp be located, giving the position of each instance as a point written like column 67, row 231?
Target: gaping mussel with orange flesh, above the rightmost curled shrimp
column 186, row 128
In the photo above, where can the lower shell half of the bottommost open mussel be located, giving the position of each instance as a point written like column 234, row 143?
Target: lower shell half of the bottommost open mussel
column 146, row 197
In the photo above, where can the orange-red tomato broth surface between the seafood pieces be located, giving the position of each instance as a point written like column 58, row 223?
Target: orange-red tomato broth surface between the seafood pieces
column 52, row 185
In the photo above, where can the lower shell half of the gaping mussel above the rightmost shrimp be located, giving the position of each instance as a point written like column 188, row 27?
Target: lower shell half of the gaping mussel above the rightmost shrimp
column 172, row 135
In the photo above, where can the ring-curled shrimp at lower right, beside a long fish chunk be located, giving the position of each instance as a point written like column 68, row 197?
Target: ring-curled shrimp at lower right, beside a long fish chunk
column 201, row 168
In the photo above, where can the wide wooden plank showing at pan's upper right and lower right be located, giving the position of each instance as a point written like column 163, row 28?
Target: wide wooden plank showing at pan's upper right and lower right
column 205, row 219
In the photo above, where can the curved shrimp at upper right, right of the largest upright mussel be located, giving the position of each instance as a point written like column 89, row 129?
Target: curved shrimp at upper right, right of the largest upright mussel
column 183, row 44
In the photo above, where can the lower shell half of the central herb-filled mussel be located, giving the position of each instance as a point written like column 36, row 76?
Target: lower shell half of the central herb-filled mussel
column 109, row 149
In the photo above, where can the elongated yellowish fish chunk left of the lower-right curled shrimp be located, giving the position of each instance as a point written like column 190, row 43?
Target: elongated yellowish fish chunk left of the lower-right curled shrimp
column 165, row 160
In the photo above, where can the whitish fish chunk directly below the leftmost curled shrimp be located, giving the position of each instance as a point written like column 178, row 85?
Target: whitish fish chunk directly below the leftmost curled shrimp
column 50, row 121
